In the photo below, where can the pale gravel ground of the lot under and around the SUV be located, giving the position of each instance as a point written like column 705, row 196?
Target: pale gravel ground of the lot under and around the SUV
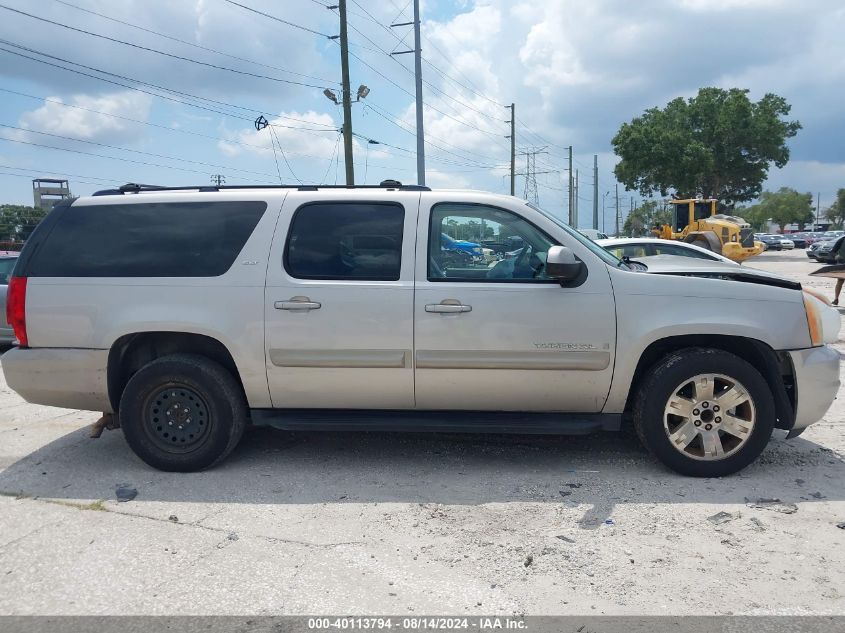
column 390, row 523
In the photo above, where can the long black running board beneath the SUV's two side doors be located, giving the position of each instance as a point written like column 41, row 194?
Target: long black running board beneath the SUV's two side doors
column 527, row 423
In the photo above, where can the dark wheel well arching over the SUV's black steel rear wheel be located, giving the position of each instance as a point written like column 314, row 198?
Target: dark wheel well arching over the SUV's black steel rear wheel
column 132, row 351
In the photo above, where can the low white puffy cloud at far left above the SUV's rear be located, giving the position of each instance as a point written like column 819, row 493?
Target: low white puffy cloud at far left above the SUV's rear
column 85, row 122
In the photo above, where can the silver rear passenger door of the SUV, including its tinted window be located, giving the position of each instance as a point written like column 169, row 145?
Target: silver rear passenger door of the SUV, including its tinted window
column 339, row 300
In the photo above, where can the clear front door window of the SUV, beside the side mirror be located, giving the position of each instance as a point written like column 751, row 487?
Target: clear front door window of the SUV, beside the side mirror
column 478, row 243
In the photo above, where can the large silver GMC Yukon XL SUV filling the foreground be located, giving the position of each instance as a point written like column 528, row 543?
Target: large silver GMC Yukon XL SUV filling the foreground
column 188, row 314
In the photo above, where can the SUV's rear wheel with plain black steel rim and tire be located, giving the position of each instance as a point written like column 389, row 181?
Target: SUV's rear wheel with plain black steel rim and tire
column 182, row 413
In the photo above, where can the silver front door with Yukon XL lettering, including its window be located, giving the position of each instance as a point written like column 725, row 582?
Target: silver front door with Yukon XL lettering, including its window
column 498, row 335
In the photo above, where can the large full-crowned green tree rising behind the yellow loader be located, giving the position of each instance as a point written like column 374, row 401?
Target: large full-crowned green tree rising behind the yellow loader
column 718, row 144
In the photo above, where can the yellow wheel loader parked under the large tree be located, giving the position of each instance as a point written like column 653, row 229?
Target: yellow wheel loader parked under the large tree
column 697, row 221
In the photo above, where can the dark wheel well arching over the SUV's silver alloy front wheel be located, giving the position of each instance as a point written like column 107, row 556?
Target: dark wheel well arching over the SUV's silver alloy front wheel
column 775, row 367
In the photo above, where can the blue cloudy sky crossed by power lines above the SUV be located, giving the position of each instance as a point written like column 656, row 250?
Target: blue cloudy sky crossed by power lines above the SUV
column 104, row 92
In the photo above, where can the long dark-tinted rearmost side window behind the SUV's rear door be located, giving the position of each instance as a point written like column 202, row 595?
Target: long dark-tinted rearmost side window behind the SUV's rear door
column 174, row 239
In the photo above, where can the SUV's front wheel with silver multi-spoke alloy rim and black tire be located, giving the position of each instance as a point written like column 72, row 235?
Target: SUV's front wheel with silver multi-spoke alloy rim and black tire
column 704, row 412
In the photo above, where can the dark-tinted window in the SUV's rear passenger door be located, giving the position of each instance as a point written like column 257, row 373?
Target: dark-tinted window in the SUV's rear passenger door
column 338, row 240
